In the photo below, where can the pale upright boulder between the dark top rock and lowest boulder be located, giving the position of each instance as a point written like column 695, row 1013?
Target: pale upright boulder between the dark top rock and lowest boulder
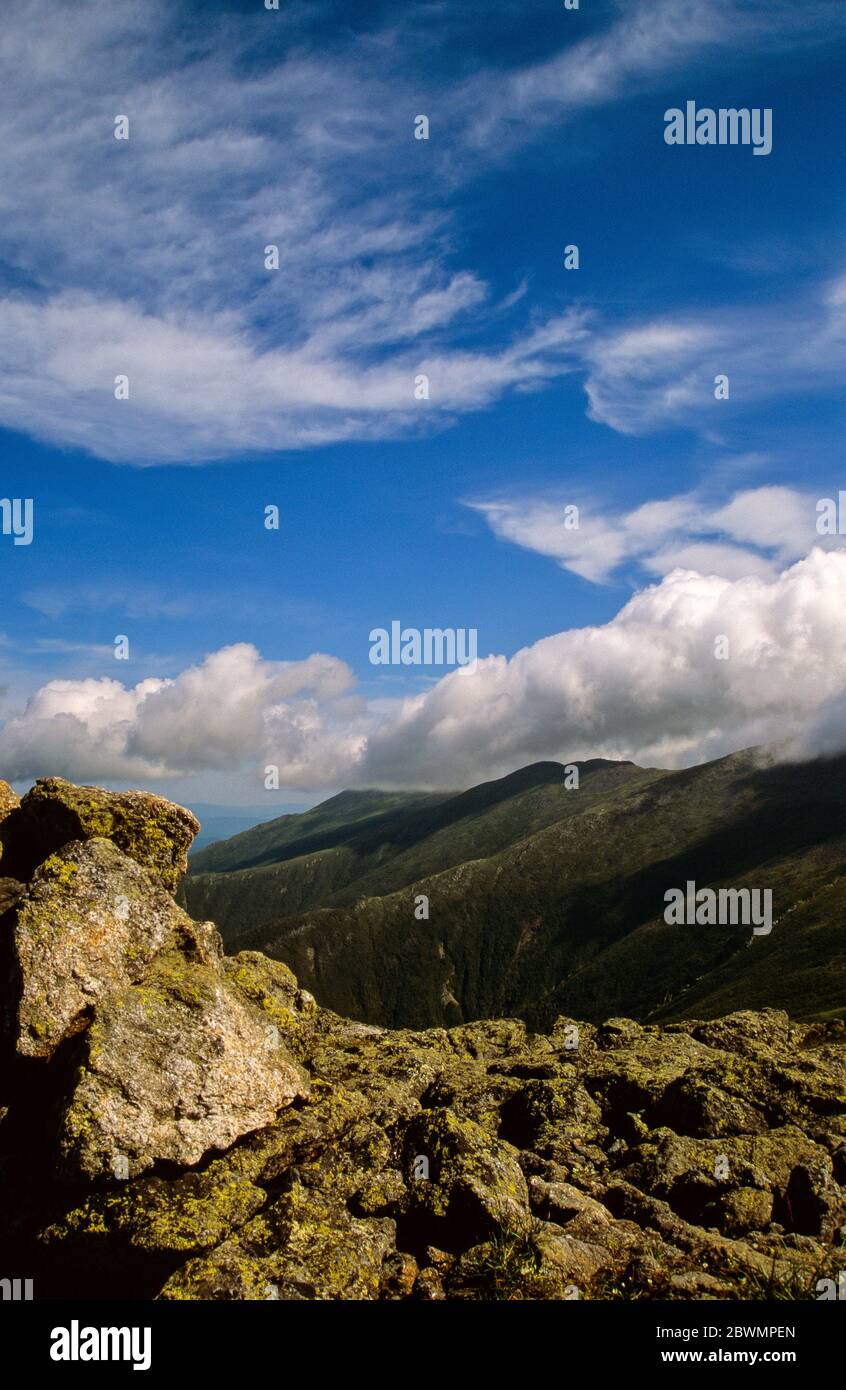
column 91, row 922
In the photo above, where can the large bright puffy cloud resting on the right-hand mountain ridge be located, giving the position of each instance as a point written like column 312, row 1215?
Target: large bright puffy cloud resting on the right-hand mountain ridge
column 648, row 686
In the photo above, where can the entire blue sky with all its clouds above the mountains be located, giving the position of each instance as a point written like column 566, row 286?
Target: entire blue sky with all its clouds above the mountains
column 295, row 389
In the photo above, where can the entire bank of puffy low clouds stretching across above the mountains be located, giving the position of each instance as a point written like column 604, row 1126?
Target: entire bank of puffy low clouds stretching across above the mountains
column 649, row 686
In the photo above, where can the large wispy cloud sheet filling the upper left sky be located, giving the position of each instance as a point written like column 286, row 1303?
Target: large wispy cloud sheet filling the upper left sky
column 155, row 266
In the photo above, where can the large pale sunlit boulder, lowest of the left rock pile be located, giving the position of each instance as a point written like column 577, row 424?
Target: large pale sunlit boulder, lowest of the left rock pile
column 174, row 1068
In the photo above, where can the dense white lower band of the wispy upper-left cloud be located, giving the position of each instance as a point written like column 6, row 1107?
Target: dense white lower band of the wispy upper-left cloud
column 202, row 390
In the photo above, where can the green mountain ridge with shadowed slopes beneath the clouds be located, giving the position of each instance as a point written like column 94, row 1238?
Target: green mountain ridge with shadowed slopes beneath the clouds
column 545, row 900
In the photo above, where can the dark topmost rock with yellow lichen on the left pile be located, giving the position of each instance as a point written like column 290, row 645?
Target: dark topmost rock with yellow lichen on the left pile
column 154, row 832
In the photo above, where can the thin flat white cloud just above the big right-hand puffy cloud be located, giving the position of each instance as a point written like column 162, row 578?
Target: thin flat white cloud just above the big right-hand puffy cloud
column 758, row 532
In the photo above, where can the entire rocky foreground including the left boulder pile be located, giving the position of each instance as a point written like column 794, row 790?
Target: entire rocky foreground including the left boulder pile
column 183, row 1125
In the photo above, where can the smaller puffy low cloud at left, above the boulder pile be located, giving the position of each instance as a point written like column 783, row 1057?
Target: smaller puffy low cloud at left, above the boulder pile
column 231, row 710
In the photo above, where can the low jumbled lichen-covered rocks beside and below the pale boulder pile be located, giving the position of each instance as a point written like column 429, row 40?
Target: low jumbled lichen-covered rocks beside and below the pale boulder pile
column 330, row 1200
